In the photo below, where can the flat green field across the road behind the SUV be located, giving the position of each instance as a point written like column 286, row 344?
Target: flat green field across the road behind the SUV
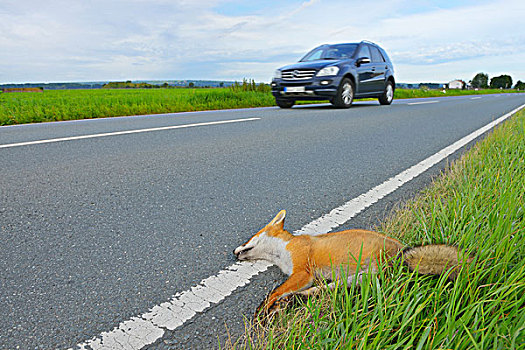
column 55, row 105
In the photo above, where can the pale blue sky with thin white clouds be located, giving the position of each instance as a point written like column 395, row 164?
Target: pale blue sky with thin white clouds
column 110, row 40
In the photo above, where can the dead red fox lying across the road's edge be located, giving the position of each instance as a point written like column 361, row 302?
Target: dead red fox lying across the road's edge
column 305, row 257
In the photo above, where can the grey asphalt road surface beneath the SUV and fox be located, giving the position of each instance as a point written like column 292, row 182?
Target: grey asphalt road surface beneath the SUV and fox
column 98, row 230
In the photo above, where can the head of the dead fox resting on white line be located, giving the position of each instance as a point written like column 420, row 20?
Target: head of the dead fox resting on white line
column 268, row 243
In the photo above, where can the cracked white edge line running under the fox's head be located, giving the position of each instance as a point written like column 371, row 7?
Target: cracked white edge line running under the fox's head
column 147, row 328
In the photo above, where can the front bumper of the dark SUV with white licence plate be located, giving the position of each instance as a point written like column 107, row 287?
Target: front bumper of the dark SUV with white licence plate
column 323, row 88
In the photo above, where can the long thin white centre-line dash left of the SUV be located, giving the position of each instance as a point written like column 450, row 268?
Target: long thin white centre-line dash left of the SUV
column 82, row 137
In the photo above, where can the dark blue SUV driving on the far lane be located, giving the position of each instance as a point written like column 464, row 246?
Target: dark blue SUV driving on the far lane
column 338, row 73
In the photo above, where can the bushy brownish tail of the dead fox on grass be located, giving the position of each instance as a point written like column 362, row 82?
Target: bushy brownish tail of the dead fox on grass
column 435, row 259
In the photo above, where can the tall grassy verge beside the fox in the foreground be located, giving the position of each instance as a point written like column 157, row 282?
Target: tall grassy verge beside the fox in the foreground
column 478, row 204
